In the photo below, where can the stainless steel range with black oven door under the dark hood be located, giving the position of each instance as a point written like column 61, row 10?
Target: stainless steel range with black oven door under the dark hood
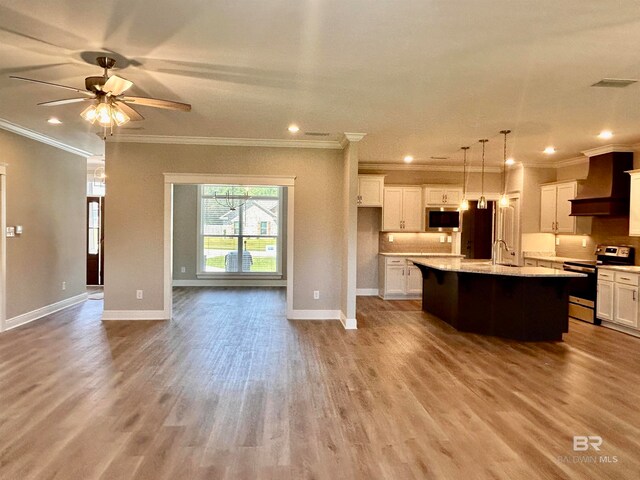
column 583, row 291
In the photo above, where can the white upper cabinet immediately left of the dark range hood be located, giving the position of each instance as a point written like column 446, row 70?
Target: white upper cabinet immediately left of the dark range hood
column 555, row 207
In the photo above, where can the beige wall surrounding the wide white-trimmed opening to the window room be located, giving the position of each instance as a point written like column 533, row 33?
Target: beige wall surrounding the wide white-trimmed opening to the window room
column 134, row 216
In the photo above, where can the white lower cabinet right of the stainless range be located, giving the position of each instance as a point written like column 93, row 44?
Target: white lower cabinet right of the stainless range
column 617, row 300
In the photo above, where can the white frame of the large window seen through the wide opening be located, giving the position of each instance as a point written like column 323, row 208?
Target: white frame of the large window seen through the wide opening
column 201, row 273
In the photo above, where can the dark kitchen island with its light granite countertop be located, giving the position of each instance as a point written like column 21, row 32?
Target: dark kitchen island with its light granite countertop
column 521, row 303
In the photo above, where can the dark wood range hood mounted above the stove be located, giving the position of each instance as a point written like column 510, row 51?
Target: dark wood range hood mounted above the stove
column 606, row 190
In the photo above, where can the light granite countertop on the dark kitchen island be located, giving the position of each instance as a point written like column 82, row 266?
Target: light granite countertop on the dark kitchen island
column 485, row 267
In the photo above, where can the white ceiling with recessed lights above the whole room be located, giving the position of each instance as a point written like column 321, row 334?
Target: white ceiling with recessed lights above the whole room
column 420, row 77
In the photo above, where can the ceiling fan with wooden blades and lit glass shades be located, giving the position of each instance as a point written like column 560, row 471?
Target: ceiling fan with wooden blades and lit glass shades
column 109, row 106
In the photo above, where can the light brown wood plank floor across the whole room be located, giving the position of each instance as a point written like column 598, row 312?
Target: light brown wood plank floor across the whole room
column 230, row 389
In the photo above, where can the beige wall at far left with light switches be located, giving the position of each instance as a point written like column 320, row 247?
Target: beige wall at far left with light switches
column 46, row 194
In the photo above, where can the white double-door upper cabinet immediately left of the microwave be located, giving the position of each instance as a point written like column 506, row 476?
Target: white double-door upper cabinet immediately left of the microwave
column 402, row 210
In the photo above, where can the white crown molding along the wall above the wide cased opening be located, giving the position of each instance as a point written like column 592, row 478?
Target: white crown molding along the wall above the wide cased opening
column 226, row 141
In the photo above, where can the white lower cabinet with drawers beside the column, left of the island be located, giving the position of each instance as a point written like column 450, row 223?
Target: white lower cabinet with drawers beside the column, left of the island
column 399, row 279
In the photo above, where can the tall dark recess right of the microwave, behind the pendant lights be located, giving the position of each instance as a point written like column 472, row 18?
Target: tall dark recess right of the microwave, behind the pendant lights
column 477, row 231
